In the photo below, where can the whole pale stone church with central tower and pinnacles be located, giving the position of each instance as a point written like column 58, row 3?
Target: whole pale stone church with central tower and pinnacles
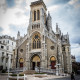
column 41, row 46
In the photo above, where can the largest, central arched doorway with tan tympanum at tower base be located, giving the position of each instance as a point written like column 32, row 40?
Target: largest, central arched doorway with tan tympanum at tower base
column 35, row 62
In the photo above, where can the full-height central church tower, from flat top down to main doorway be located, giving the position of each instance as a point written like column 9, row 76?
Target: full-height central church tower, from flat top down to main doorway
column 36, row 35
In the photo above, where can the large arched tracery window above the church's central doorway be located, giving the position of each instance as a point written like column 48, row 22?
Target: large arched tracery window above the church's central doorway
column 36, row 42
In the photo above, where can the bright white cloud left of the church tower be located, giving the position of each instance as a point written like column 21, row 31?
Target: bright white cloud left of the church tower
column 15, row 16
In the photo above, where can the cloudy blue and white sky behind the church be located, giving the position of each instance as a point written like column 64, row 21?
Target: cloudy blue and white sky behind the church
column 15, row 14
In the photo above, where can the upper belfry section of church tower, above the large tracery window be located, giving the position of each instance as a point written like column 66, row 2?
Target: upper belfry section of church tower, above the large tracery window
column 37, row 15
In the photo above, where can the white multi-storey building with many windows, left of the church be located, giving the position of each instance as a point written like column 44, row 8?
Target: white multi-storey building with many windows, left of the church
column 7, row 44
